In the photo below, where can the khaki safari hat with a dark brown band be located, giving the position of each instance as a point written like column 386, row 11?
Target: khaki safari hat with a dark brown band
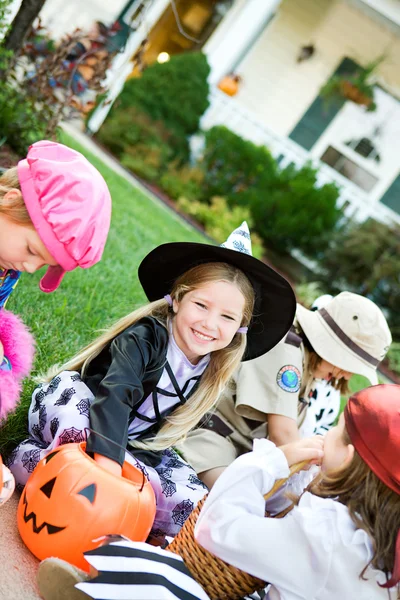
column 350, row 332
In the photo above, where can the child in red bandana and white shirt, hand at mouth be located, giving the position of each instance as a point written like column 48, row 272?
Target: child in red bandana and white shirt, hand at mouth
column 342, row 540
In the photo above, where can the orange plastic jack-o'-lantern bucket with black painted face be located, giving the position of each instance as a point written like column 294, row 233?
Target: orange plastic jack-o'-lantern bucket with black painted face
column 69, row 501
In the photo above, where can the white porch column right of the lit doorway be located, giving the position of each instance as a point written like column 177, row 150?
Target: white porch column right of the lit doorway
column 236, row 34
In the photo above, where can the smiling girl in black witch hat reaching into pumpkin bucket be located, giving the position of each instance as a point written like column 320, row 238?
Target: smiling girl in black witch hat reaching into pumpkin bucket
column 151, row 377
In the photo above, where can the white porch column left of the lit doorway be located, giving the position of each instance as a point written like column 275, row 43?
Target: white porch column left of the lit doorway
column 122, row 65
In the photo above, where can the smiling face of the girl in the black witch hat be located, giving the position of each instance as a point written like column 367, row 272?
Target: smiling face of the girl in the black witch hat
column 207, row 318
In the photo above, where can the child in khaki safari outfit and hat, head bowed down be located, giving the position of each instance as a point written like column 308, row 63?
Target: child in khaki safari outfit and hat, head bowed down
column 270, row 396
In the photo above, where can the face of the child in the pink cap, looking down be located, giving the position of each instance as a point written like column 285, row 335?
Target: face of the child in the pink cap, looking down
column 21, row 248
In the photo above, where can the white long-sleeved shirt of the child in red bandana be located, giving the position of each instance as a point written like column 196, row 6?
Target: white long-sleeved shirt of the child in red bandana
column 232, row 526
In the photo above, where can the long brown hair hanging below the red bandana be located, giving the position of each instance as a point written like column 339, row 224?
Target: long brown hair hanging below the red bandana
column 372, row 506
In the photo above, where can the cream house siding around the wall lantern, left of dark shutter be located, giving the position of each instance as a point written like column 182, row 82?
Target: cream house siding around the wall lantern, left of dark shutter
column 278, row 90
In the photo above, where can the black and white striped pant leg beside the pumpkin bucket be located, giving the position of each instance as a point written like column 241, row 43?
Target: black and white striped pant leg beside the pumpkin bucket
column 137, row 571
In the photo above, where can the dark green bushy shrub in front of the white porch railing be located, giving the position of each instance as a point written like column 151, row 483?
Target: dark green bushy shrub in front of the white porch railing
column 288, row 209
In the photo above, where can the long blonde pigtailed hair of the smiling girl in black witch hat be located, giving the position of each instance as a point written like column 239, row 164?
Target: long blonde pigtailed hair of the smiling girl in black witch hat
column 222, row 363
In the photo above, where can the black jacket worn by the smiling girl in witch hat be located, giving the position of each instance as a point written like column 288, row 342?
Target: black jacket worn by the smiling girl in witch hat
column 121, row 377
